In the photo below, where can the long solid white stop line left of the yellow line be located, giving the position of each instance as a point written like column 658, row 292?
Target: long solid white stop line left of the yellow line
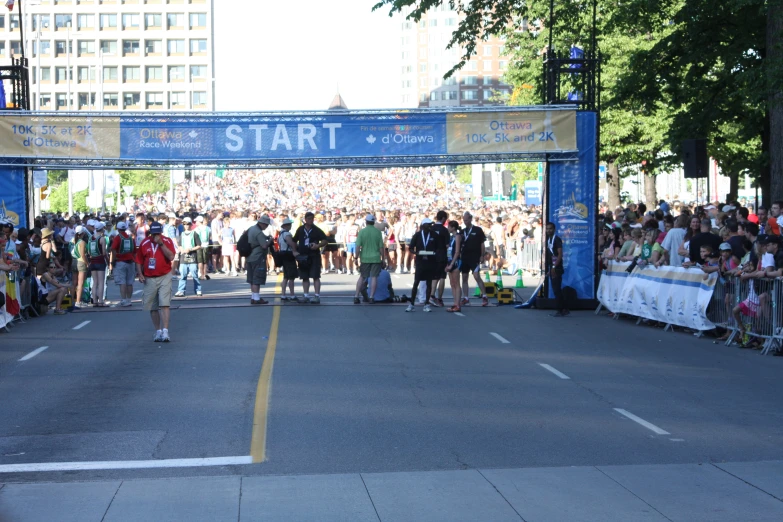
column 124, row 464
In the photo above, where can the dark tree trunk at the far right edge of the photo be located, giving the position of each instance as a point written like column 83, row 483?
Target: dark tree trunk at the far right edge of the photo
column 774, row 60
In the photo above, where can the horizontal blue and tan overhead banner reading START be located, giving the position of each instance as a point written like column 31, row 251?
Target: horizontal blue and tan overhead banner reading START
column 285, row 136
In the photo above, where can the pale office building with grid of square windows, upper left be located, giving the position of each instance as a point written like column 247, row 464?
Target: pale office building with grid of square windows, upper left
column 115, row 55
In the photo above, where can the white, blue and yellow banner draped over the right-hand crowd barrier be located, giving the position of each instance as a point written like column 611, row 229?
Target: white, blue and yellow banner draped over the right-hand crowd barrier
column 671, row 295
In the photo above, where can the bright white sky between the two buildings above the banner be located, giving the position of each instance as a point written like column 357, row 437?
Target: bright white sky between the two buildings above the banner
column 292, row 54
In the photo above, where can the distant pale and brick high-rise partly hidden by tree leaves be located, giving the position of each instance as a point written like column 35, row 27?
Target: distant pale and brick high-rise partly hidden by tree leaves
column 425, row 60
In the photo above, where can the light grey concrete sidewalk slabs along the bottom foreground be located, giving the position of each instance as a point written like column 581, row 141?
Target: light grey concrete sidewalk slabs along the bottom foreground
column 680, row 492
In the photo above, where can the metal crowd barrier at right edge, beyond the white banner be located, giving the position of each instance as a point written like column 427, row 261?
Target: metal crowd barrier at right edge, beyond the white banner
column 756, row 303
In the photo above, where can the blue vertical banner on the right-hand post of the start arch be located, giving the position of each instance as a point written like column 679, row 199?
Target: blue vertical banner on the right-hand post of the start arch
column 572, row 193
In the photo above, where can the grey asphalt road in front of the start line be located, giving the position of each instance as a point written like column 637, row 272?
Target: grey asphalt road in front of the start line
column 374, row 389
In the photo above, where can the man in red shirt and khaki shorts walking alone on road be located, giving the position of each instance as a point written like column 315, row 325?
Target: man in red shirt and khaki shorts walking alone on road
column 153, row 265
